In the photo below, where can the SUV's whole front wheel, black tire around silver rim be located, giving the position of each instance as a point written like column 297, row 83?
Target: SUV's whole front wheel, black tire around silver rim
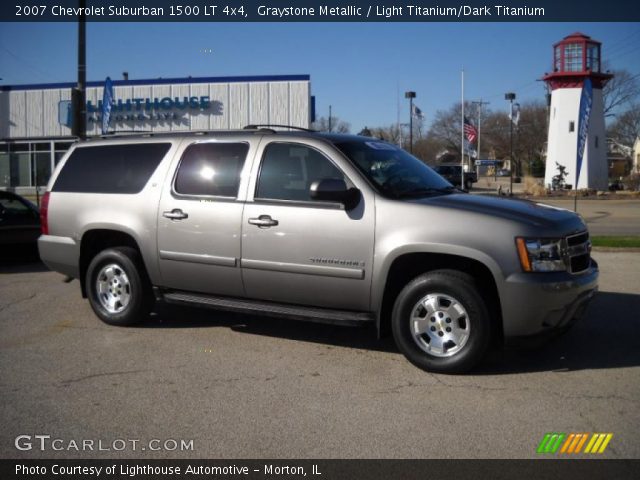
column 442, row 286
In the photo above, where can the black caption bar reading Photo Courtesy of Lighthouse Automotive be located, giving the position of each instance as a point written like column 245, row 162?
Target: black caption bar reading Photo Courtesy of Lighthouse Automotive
column 319, row 469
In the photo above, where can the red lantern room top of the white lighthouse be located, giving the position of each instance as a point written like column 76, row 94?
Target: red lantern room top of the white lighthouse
column 575, row 58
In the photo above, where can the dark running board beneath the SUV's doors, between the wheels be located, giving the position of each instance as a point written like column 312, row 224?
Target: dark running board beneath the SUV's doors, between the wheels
column 242, row 305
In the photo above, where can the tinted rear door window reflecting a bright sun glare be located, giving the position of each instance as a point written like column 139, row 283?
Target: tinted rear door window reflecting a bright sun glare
column 211, row 169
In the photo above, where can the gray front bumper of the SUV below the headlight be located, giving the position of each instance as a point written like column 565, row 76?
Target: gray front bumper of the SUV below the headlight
column 546, row 303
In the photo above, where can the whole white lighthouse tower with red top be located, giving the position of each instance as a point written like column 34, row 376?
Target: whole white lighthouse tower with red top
column 576, row 119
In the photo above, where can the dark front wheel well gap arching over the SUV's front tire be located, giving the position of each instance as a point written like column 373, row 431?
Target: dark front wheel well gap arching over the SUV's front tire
column 409, row 265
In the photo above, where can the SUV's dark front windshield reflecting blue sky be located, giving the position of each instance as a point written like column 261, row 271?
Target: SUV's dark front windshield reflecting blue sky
column 395, row 172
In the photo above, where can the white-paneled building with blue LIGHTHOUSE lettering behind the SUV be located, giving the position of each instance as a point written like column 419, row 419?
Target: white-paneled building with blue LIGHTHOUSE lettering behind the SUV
column 35, row 119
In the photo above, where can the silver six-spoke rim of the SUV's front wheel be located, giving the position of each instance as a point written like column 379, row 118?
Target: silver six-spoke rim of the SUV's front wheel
column 440, row 325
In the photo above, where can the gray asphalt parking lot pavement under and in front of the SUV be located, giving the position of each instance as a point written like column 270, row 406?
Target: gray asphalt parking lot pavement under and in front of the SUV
column 251, row 387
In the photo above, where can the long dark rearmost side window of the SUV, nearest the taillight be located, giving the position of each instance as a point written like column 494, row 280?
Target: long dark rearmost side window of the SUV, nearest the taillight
column 110, row 168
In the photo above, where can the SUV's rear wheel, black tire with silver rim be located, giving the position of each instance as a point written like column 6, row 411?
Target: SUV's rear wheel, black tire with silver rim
column 127, row 265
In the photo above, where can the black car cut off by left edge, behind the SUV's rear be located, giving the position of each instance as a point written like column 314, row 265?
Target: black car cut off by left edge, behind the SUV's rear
column 19, row 223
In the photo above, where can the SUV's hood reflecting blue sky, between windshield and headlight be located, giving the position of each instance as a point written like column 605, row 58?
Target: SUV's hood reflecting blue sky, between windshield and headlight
column 523, row 211
